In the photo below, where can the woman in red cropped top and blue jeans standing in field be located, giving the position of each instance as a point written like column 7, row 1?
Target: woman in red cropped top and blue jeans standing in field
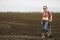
column 46, row 18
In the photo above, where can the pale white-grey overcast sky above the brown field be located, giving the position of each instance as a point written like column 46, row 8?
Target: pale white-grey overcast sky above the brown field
column 29, row 5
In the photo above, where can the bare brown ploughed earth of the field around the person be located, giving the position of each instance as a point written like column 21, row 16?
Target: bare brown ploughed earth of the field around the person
column 24, row 24
